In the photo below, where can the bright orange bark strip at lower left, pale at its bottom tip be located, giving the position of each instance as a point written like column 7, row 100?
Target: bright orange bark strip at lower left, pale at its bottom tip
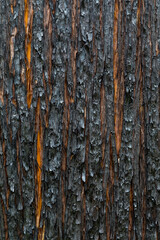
column 38, row 177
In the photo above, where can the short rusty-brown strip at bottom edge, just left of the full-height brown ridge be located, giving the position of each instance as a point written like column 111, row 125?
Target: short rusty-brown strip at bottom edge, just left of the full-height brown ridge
column 131, row 212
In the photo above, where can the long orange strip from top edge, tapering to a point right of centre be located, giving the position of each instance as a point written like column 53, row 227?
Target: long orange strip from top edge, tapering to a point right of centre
column 118, row 83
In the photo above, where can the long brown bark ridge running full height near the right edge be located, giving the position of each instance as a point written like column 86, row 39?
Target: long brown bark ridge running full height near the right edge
column 139, row 104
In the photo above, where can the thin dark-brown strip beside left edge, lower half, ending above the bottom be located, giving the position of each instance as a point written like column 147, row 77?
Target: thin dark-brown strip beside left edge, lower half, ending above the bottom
column 6, row 174
